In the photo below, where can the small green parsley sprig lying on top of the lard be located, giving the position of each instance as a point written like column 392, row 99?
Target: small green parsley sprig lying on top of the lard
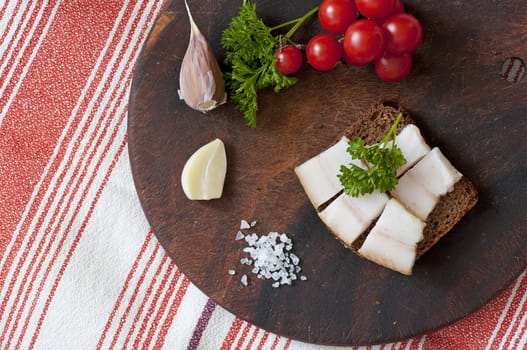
column 381, row 160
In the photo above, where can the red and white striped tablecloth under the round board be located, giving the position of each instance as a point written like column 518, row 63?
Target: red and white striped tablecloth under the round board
column 80, row 268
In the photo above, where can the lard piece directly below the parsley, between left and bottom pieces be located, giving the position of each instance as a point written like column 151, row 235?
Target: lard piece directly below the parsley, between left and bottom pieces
column 348, row 217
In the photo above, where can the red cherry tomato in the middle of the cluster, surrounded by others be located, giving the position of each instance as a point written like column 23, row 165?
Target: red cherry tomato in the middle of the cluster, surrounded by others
column 364, row 41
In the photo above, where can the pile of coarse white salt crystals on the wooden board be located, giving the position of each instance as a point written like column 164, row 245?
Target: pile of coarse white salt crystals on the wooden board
column 270, row 255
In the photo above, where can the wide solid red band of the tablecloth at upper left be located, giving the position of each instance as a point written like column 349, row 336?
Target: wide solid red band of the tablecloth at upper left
column 24, row 143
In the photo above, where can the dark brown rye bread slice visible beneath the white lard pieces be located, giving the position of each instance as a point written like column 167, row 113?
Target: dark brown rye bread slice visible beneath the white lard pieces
column 372, row 126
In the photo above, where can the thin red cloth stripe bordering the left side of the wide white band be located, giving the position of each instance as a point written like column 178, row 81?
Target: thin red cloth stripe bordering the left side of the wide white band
column 75, row 242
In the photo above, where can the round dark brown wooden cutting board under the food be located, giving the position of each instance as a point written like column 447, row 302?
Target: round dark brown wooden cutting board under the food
column 458, row 98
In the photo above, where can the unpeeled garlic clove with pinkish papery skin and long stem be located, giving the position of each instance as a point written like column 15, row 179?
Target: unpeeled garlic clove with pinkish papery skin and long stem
column 201, row 82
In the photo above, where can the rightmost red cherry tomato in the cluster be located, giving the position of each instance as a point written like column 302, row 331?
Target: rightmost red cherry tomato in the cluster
column 403, row 33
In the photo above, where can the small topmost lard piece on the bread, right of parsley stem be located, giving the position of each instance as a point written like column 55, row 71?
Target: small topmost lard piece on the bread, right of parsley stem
column 412, row 145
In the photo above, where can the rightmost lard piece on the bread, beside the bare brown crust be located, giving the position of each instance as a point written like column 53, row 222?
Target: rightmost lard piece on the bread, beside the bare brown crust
column 420, row 187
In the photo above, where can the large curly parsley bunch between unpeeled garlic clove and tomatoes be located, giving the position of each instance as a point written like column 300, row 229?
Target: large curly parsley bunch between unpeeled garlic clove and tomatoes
column 250, row 47
